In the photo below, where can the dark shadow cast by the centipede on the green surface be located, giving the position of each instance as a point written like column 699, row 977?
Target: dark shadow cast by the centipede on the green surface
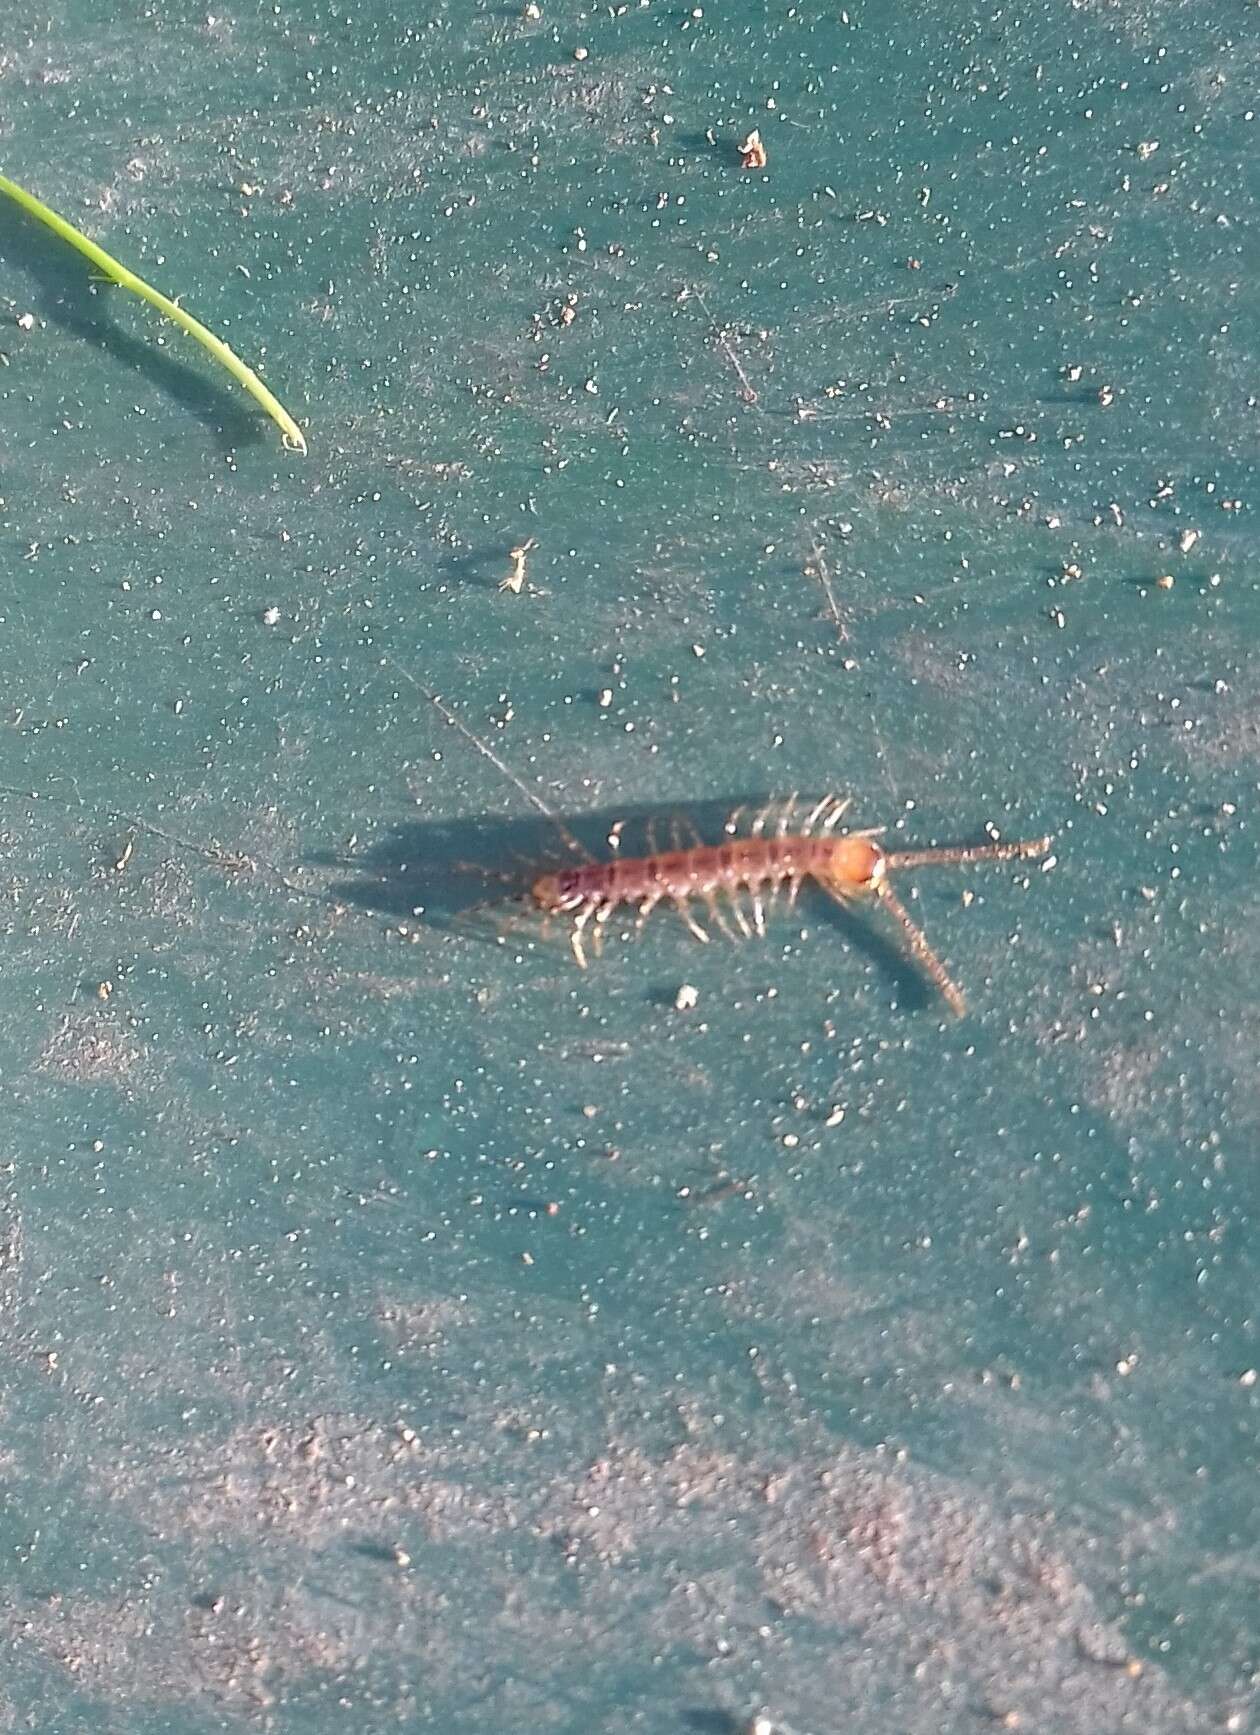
column 457, row 874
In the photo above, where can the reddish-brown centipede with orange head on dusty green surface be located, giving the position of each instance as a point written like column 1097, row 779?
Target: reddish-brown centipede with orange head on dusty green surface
column 801, row 846
